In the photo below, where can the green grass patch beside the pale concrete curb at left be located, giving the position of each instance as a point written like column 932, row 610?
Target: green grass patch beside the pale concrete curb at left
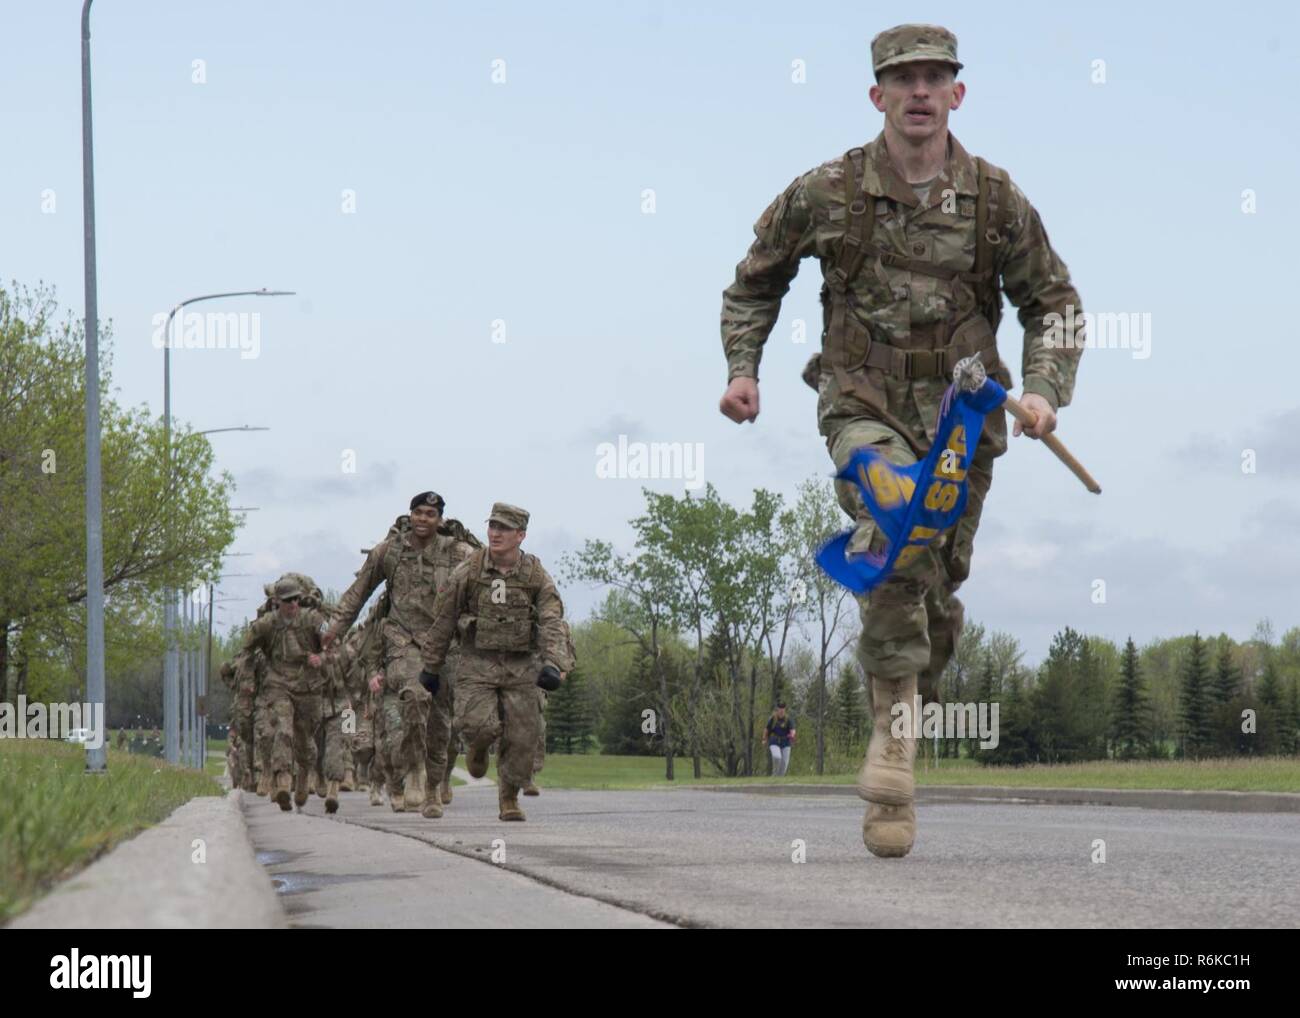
column 55, row 818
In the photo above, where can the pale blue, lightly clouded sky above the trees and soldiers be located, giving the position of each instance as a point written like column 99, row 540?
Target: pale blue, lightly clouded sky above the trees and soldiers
column 509, row 227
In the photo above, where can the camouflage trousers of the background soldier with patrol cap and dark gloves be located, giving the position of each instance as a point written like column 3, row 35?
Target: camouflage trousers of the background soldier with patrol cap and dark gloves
column 497, row 700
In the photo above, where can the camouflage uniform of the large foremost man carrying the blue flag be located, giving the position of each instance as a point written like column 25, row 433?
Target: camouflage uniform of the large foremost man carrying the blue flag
column 909, row 289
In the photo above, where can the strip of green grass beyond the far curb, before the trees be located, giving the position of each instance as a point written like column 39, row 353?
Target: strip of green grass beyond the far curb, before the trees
column 1273, row 774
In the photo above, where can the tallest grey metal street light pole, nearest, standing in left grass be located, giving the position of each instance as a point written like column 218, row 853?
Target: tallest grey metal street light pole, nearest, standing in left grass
column 97, row 760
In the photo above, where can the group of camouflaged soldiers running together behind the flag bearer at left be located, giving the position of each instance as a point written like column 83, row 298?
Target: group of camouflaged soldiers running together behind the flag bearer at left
column 461, row 648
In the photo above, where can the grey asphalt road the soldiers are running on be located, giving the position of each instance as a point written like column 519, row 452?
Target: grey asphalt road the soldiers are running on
column 723, row 859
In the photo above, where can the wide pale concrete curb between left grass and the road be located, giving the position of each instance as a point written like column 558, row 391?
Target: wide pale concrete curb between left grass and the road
column 157, row 880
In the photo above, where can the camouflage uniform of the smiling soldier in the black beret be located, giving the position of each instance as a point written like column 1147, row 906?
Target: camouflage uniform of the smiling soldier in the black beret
column 413, row 575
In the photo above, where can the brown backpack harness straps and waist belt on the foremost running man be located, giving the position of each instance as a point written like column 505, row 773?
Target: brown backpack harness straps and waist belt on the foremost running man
column 848, row 346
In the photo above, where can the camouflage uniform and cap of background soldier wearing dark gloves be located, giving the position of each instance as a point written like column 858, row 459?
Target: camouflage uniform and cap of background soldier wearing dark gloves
column 512, row 626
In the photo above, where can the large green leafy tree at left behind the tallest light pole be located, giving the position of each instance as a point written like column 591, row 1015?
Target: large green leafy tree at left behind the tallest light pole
column 158, row 529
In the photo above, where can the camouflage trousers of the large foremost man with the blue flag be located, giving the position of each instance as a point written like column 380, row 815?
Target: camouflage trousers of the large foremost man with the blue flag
column 912, row 622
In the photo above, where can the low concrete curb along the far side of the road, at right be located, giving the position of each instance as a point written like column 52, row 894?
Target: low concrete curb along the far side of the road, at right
column 1149, row 799
